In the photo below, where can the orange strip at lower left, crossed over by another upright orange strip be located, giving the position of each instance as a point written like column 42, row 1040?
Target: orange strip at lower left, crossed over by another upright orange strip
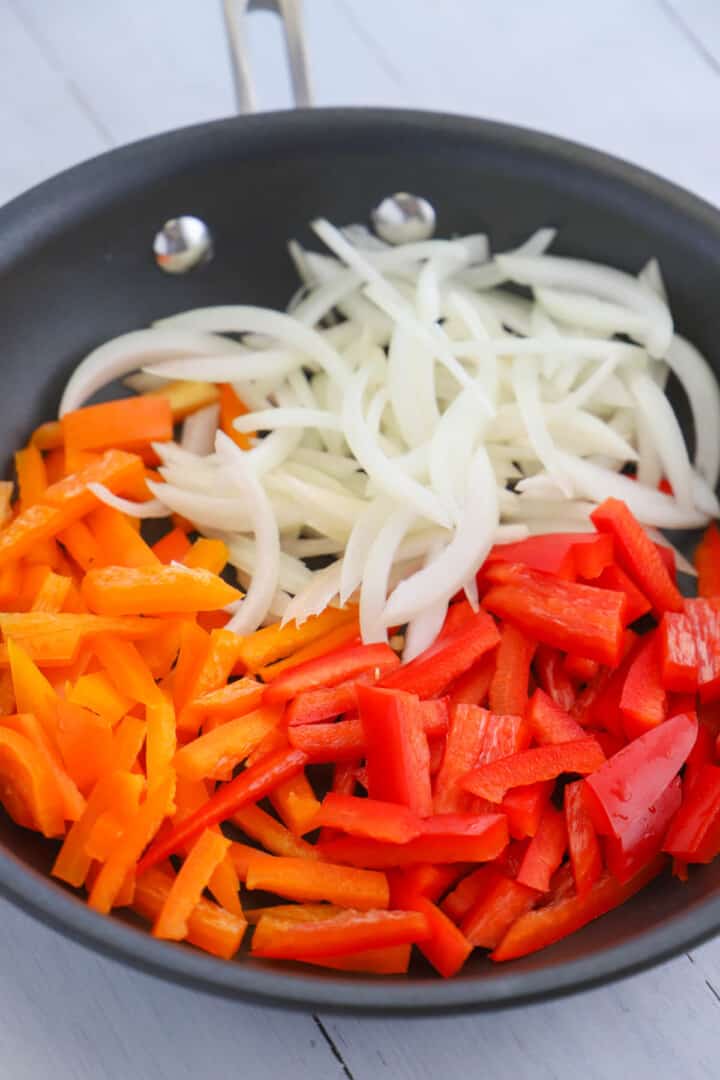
column 210, row 927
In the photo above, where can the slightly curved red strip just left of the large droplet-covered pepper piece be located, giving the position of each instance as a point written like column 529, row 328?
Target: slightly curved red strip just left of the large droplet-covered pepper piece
column 528, row 767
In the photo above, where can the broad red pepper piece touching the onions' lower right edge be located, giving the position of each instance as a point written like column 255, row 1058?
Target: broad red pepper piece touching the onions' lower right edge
column 563, row 614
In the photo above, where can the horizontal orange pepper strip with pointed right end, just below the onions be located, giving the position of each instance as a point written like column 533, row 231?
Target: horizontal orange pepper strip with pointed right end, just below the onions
column 164, row 590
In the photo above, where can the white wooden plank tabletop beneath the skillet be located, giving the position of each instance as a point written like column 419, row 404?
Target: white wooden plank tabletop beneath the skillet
column 639, row 78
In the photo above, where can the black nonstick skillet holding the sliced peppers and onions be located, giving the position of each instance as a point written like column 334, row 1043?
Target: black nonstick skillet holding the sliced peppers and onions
column 77, row 268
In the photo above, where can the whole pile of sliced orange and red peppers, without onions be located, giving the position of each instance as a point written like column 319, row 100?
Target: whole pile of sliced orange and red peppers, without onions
column 534, row 767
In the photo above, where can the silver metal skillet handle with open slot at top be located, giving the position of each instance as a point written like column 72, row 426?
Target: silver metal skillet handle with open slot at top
column 237, row 13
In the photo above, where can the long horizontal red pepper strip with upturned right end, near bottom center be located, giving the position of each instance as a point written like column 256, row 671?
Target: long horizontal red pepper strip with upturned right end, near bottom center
column 486, row 843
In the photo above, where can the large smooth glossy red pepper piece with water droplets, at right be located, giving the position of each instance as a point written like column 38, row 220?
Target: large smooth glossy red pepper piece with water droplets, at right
column 630, row 784
